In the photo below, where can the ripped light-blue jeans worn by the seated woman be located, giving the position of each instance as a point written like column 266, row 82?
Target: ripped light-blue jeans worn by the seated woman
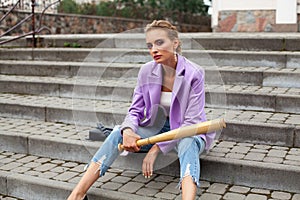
column 188, row 149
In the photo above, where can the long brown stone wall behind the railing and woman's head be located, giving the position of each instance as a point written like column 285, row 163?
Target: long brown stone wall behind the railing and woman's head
column 80, row 24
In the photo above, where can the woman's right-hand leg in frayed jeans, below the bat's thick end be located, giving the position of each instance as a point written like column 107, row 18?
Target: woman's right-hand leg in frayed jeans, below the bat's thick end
column 188, row 154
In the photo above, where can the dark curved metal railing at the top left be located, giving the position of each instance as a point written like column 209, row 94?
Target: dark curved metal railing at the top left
column 34, row 30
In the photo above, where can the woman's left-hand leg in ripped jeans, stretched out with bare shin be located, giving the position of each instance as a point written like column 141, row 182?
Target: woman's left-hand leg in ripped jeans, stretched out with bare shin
column 101, row 161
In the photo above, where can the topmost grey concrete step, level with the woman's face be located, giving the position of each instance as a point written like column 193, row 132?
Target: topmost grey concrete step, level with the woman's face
column 209, row 41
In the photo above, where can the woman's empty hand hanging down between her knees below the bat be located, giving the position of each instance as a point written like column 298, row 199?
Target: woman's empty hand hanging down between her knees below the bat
column 149, row 161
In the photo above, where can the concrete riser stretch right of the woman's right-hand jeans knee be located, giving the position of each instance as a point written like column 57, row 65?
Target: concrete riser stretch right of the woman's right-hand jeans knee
column 263, row 175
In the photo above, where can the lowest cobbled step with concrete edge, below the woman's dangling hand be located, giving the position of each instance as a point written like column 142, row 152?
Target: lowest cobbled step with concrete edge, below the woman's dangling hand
column 36, row 177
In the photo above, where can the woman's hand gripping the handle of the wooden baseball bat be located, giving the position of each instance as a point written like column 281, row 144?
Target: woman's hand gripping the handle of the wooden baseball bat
column 129, row 140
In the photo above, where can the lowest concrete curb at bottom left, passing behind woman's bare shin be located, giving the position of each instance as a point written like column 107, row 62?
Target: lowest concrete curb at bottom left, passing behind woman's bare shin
column 35, row 188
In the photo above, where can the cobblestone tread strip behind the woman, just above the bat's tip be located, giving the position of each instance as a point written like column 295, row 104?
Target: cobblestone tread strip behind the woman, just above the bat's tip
column 122, row 108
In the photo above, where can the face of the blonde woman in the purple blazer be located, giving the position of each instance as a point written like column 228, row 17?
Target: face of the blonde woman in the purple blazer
column 161, row 47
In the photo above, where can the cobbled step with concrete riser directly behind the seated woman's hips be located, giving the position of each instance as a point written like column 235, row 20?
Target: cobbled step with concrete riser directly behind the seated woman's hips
column 265, row 127
